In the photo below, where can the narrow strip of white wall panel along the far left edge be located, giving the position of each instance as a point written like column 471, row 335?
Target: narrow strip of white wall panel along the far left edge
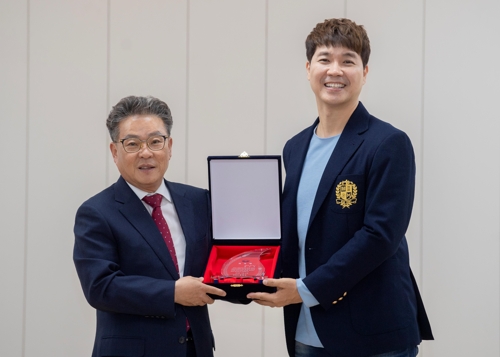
column 13, row 126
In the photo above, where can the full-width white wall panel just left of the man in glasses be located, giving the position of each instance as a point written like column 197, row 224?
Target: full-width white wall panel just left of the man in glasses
column 67, row 101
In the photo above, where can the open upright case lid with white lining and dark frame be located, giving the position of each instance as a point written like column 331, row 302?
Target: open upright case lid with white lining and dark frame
column 246, row 199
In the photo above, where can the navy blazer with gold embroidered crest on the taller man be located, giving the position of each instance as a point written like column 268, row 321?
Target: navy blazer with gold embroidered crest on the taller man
column 356, row 252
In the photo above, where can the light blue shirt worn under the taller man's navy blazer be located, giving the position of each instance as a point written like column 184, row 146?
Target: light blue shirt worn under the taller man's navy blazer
column 318, row 154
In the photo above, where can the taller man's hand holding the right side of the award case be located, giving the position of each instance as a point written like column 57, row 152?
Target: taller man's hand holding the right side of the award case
column 287, row 293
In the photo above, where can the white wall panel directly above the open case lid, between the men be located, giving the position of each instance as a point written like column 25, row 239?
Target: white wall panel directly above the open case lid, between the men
column 226, row 82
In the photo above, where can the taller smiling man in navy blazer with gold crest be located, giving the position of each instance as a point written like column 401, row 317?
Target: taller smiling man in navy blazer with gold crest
column 346, row 287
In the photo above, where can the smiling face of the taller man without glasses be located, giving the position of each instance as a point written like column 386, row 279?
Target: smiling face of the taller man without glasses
column 336, row 75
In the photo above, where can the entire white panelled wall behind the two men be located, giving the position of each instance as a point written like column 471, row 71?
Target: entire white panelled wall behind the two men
column 233, row 73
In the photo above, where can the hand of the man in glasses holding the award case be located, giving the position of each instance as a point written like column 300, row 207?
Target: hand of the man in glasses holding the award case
column 190, row 291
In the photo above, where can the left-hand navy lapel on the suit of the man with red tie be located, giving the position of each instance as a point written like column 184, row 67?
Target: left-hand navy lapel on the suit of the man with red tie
column 135, row 212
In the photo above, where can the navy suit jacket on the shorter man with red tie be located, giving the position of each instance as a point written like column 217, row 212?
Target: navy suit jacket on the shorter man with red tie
column 128, row 276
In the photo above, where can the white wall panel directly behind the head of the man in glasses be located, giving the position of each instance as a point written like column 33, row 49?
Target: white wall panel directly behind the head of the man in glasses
column 147, row 56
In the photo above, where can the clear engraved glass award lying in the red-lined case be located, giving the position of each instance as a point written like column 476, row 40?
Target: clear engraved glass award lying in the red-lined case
column 245, row 265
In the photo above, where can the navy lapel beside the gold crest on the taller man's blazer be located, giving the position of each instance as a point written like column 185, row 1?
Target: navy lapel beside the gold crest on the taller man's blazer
column 348, row 143
